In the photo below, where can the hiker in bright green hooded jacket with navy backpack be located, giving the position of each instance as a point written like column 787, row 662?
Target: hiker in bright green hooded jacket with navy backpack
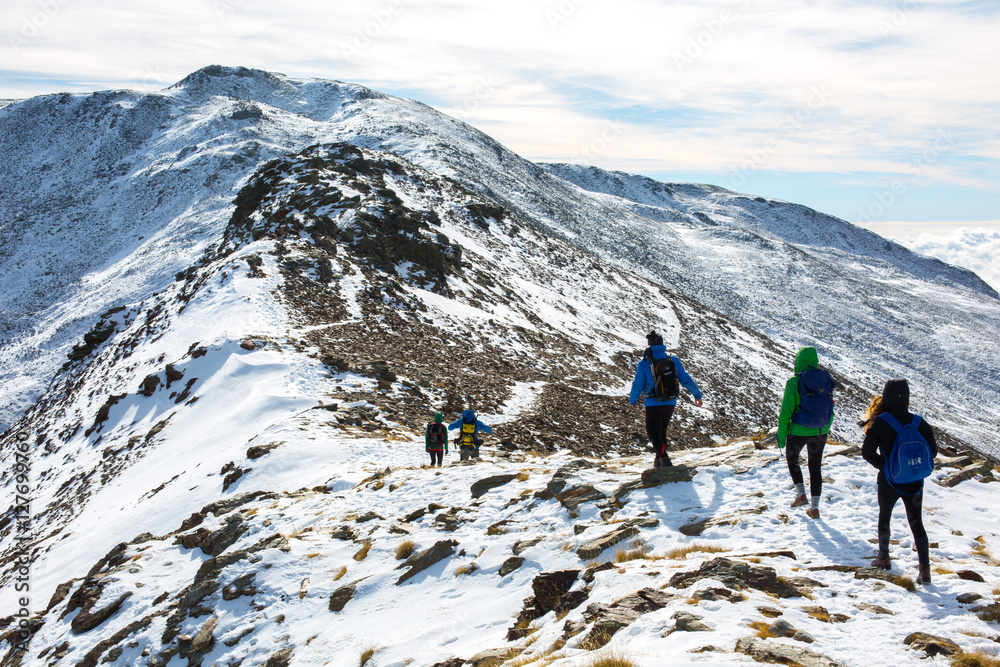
column 804, row 421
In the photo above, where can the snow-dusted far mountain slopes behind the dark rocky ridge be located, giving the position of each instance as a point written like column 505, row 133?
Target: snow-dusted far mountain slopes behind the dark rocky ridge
column 154, row 176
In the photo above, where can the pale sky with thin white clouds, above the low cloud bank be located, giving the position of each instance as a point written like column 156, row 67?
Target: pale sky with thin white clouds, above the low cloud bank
column 867, row 110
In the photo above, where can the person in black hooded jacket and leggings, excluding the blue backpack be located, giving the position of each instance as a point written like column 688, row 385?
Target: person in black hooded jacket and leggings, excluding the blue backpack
column 880, row 438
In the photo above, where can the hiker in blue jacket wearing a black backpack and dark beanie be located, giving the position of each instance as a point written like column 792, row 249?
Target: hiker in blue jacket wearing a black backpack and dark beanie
column 661, row 388
